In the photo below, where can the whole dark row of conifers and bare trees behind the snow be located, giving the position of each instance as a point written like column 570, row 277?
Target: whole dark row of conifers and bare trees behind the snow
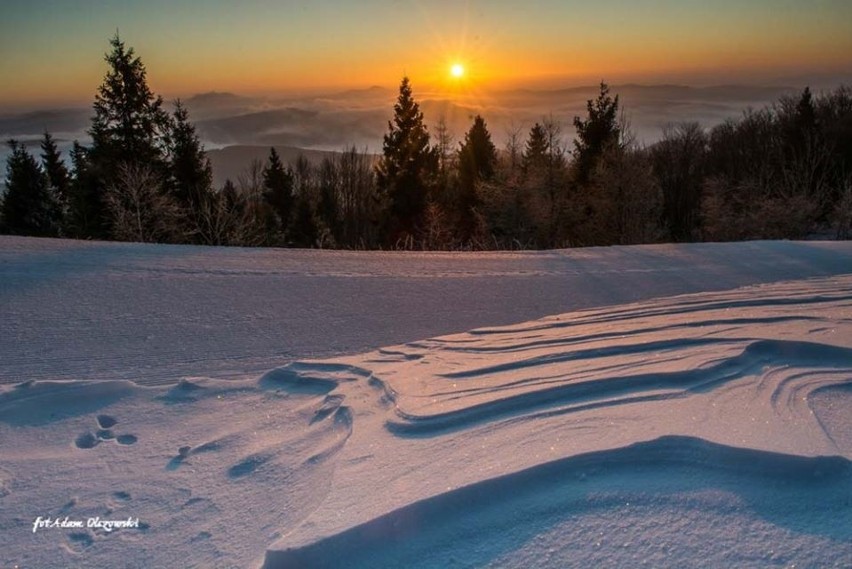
column 784, row 171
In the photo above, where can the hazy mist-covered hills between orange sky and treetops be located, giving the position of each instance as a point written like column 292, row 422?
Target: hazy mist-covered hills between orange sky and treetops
column 333, row 121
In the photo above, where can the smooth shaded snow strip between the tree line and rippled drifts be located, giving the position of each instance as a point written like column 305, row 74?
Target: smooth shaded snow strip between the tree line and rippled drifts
column 155, row 314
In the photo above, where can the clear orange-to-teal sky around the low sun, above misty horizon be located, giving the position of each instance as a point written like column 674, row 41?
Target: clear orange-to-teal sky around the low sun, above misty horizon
column 51, row 51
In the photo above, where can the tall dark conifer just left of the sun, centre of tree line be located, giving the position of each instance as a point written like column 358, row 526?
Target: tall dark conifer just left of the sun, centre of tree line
column 407, row 165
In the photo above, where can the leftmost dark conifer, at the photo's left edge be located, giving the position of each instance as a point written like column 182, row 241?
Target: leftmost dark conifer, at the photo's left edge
column 28, row 207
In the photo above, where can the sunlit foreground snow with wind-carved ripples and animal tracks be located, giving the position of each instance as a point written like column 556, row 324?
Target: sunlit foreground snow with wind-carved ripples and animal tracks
column 709, row 429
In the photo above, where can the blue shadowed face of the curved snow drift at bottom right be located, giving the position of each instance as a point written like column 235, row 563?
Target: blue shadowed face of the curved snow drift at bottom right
column 477, row 525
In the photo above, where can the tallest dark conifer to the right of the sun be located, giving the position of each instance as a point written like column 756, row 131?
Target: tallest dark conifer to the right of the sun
column 596, row 133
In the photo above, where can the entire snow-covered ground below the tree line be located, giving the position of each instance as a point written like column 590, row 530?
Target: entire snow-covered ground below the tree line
column 705, row 429
